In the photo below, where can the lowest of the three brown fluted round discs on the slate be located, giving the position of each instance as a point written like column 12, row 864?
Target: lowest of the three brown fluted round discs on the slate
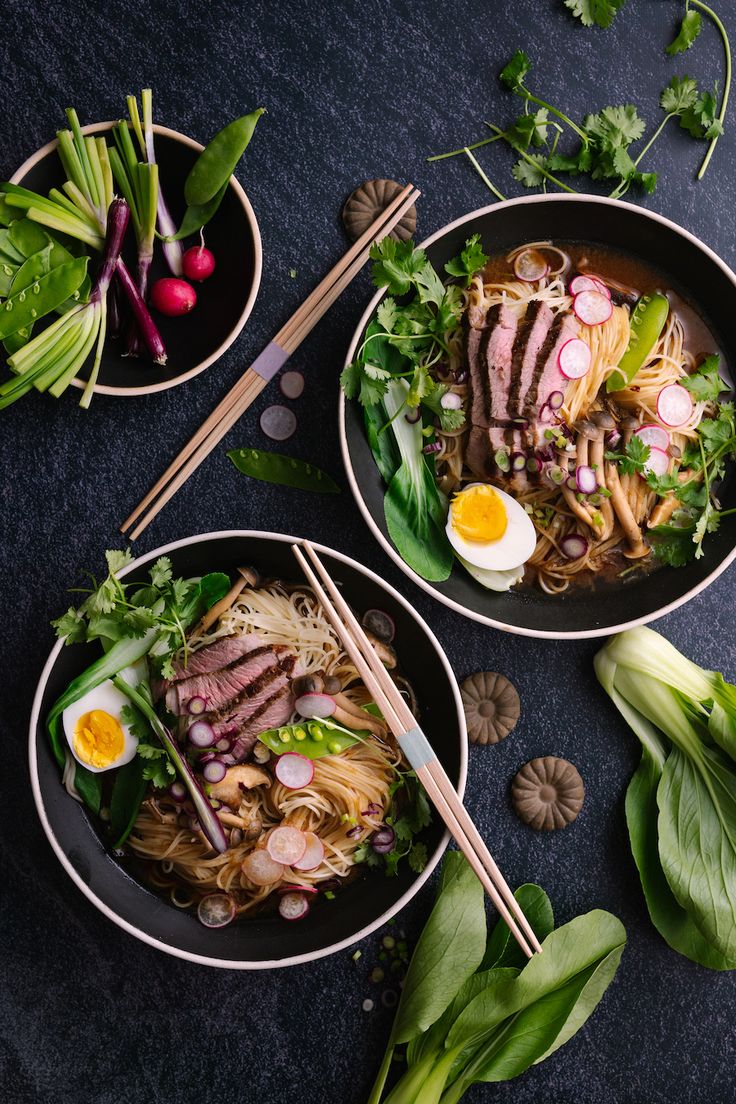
column 548, row 793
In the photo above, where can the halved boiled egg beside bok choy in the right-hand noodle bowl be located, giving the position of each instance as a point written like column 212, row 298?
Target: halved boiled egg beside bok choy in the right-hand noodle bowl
column 490, row 529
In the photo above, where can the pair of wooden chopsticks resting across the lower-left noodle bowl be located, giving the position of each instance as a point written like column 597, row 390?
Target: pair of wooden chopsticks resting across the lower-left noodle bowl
column 417, row 747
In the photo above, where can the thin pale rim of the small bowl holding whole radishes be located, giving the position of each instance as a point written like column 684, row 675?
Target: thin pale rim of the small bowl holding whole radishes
column 104, row 389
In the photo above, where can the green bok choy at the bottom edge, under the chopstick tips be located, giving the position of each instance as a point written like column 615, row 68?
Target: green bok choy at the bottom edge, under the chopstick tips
column 495, row 1014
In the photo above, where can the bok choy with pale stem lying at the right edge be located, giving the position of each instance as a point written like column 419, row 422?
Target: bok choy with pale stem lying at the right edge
column 681, row 804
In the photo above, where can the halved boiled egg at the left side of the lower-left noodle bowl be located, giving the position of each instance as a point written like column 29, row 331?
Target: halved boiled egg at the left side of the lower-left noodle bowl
column 95, row 731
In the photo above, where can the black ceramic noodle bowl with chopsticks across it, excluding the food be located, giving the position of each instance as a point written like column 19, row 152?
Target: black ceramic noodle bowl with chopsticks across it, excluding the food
column 265, row 942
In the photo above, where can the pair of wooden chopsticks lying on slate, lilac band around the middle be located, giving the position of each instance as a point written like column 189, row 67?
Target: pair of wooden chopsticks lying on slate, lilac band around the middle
column 266, row 366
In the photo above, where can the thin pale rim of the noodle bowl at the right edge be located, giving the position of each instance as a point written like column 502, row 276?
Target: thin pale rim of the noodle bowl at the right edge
column 386, row 544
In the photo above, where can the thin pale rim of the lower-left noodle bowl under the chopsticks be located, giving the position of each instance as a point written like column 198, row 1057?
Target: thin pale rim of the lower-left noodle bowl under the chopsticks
column 273, row 963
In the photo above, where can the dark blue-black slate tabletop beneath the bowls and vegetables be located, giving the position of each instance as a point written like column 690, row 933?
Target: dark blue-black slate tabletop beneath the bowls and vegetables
column 354, row 91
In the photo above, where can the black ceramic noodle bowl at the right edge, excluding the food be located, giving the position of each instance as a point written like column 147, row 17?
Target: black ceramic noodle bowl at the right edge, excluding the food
column 688, row 268
